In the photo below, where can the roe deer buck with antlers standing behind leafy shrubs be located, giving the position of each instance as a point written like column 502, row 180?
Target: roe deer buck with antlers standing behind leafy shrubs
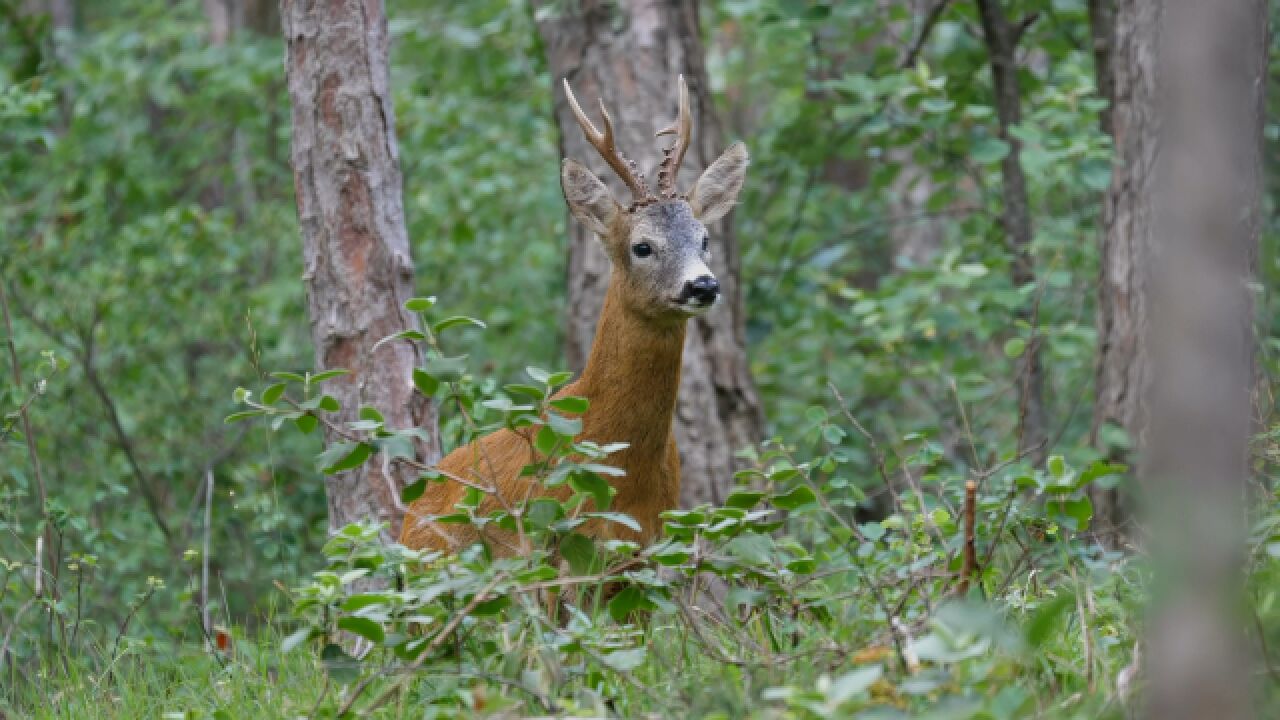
column 659, row 248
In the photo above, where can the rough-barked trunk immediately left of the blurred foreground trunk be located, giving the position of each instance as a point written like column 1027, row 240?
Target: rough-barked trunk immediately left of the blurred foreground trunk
column 1123, row 364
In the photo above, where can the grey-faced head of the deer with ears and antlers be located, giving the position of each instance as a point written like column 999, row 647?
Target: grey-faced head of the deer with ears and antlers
column 659, row 244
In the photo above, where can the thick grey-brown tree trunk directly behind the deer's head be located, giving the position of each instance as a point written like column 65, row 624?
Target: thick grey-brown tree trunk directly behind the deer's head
column 629, row 54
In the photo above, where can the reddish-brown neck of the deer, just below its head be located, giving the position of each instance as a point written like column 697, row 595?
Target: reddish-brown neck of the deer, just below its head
column 633, row 376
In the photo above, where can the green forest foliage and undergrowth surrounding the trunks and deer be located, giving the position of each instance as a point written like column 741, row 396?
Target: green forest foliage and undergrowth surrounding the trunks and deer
column 149, row 252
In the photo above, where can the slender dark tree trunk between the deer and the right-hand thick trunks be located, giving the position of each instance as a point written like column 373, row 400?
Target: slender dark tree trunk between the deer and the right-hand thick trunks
column 1002, row 39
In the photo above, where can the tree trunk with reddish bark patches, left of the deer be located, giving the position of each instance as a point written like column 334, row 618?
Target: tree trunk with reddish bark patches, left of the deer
column 358, row 267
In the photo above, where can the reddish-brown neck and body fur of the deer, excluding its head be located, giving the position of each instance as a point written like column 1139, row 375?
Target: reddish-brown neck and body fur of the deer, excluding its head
column 632, row 380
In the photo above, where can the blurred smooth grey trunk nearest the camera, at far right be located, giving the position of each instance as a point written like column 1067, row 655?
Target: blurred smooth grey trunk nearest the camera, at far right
column 1213, row 69
